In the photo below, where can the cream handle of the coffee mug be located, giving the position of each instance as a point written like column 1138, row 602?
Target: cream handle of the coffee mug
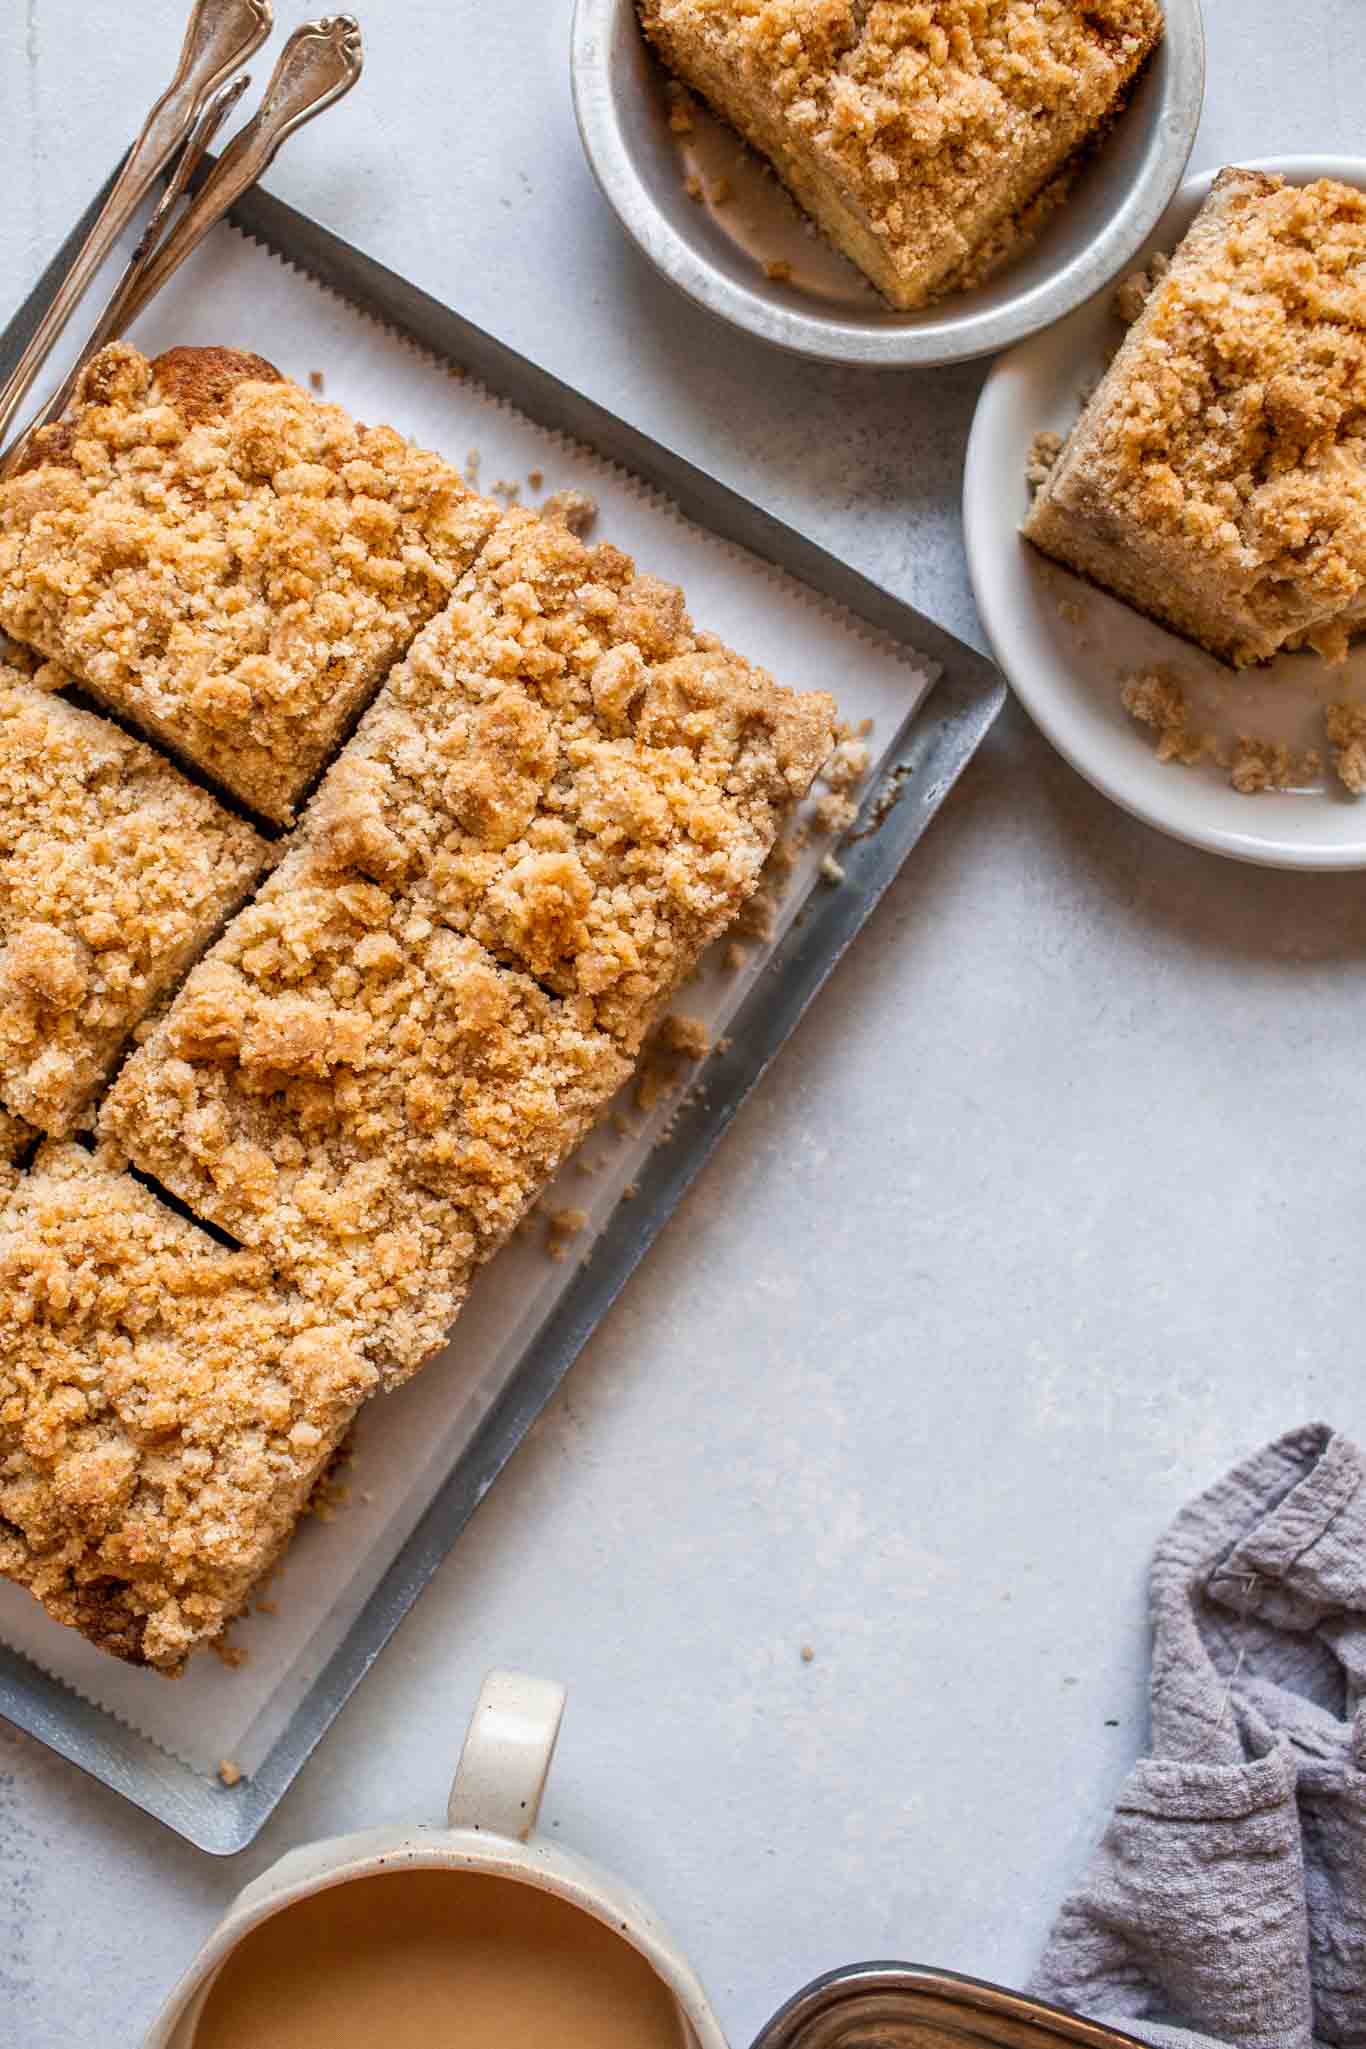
column 507, row 1755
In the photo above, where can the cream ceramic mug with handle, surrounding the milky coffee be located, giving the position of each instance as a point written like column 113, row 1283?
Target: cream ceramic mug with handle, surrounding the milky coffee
column 490, row 1827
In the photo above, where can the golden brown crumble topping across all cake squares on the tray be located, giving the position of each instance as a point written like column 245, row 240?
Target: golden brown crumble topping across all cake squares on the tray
column 370, row 1079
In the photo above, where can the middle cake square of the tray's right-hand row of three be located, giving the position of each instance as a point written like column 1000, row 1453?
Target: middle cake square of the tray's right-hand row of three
column 366, row 1097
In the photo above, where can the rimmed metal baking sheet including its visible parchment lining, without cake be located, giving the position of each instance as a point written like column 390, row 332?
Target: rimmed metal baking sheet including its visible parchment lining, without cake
column 427, row 1456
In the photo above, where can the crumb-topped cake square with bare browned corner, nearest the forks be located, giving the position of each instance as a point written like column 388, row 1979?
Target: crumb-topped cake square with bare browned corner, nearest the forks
column 226, row 560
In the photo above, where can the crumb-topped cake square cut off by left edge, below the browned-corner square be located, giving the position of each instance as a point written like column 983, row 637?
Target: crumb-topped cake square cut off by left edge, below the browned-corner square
column 116, row 874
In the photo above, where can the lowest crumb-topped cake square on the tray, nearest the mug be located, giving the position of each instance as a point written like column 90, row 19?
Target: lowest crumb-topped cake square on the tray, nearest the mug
column 165, row 1413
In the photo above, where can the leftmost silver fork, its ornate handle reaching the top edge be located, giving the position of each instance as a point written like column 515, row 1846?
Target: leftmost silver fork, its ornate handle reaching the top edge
column 220, row 36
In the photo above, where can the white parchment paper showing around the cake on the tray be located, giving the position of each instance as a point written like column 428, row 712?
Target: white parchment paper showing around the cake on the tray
column 407, row 1444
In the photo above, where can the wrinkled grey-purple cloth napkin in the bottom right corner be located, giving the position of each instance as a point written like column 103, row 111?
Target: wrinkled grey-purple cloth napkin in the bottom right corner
column 1230, row 1890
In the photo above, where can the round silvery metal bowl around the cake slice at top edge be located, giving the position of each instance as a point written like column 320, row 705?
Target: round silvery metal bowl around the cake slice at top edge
column 828, row 310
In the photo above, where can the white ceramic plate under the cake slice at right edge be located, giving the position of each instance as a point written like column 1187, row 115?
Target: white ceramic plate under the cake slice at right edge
column 1068, row 646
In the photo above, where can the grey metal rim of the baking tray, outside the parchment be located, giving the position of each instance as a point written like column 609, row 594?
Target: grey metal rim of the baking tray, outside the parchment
column 919, row 771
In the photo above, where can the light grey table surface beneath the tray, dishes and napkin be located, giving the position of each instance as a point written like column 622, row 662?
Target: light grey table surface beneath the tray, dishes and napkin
column 1052, row 1210
